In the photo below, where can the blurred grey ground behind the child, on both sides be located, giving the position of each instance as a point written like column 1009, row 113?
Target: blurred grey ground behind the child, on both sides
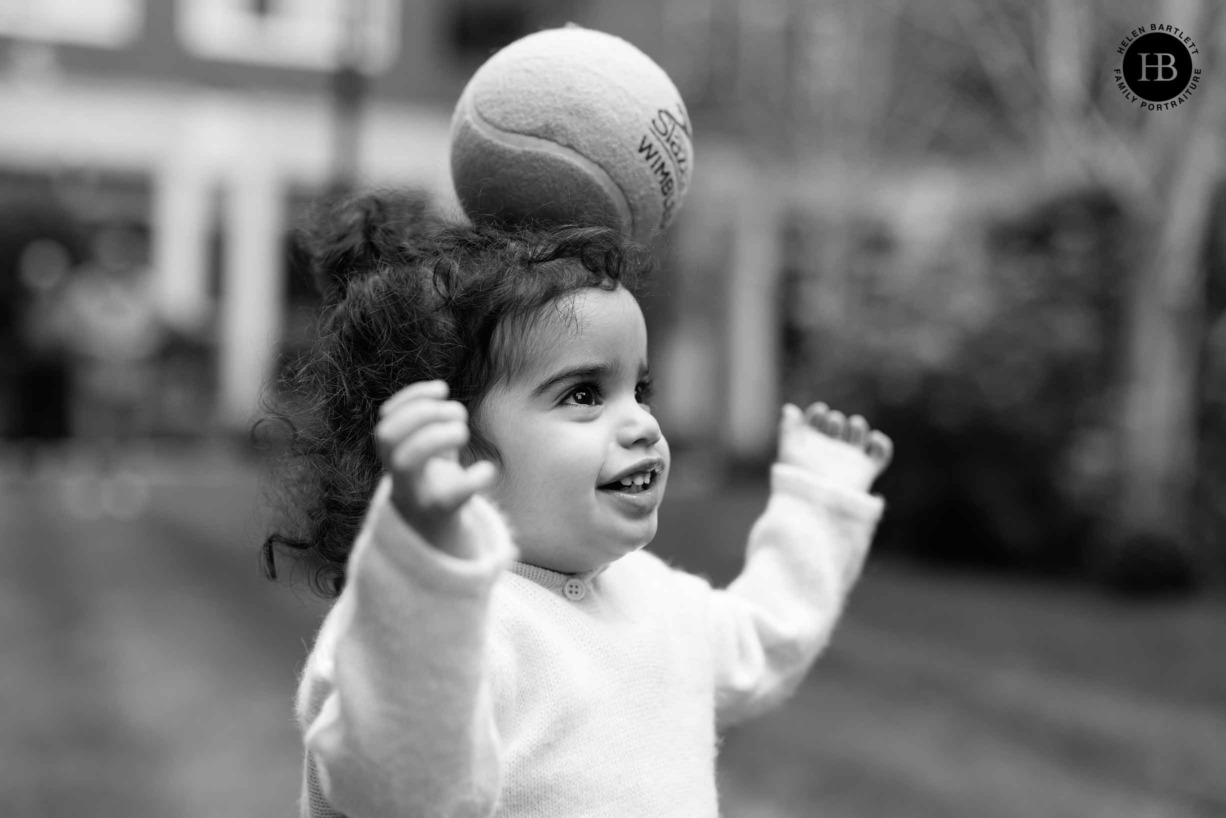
column 148, row 671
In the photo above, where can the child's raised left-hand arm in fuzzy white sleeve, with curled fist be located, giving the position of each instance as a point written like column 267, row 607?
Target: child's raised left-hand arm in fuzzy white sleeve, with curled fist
column 397, row 696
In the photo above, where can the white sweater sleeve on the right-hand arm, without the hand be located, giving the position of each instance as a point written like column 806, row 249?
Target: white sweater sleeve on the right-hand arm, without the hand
column 805, row 555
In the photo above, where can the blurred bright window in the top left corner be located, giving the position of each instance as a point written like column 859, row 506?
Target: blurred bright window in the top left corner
column 107, row 24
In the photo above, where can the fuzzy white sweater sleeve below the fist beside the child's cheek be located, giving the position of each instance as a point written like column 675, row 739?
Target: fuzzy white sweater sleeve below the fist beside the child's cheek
column 395, row 700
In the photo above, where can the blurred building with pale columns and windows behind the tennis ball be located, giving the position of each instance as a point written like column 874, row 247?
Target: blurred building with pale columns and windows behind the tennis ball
column 210, row 122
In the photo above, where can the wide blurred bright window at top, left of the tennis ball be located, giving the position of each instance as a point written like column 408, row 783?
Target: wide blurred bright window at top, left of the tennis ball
column 316, row 35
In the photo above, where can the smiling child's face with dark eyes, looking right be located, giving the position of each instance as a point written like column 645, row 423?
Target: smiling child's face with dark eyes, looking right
column 573, row 422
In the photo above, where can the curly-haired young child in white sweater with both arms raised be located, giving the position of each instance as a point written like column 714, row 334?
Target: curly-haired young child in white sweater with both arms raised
column 501, row 643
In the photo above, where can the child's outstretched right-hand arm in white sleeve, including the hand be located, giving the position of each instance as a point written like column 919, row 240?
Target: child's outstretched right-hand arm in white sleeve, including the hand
column 805, row 555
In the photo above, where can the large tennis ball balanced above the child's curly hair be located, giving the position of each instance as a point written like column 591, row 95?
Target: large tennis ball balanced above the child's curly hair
column 572, row 126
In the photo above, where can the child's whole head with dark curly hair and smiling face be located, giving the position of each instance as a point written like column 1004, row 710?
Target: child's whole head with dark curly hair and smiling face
column 406, row 300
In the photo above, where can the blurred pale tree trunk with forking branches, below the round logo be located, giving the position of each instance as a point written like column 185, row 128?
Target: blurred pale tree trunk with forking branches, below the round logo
column 1168, row 169
